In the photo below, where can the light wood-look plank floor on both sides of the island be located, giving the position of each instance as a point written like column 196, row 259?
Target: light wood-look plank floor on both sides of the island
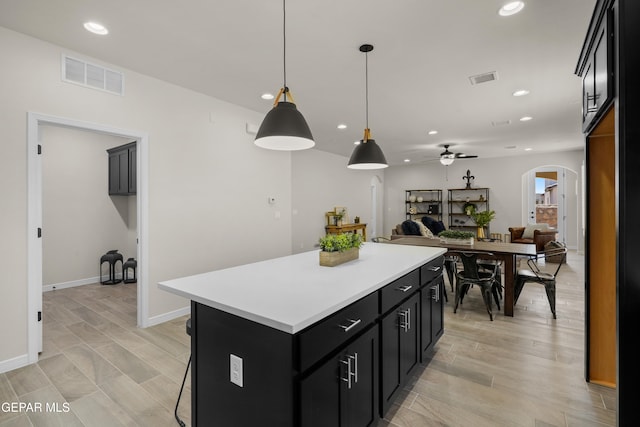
column 527, row 370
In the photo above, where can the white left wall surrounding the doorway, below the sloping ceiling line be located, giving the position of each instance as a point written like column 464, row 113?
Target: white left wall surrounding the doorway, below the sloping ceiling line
column 208, row 183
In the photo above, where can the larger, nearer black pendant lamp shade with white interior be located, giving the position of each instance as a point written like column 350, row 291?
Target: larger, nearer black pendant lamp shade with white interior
column 284, row 128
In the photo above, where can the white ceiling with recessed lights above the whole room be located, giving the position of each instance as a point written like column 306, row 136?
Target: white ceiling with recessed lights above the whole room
column 424, row 53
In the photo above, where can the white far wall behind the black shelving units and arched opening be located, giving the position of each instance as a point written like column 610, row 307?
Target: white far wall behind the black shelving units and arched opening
column 502, row 175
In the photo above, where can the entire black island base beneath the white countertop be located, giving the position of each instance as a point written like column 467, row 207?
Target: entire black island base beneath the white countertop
column 345, row 370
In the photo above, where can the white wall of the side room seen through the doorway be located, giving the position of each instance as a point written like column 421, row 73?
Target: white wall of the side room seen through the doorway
column 80, row 220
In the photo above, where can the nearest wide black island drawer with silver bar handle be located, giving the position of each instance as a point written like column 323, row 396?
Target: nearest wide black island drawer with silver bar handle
column 325, row 336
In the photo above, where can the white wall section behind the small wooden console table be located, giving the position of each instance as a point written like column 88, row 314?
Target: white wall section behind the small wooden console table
column 322, row 181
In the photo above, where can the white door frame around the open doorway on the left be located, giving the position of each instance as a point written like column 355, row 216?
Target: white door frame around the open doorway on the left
column 34, row 219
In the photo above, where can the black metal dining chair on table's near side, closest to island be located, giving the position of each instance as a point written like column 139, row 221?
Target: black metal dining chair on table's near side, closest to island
column 472, row 275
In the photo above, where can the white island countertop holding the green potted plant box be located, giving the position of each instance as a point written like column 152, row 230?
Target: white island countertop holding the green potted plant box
column 293, row 292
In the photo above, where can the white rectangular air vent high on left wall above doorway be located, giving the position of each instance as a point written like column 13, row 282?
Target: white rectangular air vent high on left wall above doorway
column 90, row 75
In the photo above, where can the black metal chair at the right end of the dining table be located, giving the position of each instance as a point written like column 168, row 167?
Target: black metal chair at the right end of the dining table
column 536, row 275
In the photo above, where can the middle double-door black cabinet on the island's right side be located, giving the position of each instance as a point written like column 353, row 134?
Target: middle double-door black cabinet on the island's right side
column 399, row 347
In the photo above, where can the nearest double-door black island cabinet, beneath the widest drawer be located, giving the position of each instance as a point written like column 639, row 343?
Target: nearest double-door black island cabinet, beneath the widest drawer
column 344, row 390
